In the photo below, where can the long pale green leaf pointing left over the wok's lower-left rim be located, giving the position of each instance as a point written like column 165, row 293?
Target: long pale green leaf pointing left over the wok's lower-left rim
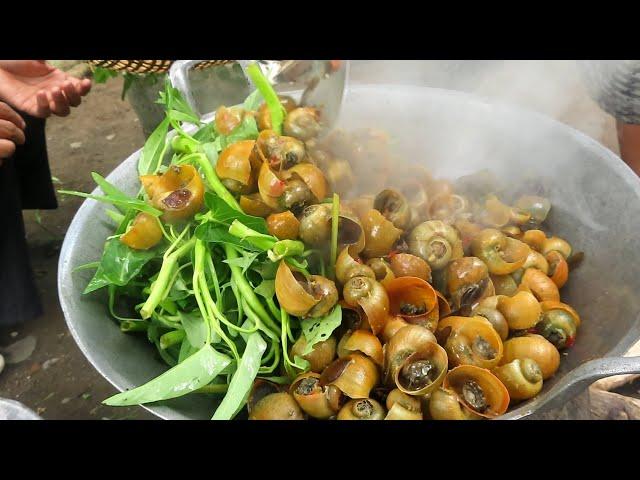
column 194, row 372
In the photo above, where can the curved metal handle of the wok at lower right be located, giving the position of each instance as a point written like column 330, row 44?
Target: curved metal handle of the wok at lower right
column 581, row 377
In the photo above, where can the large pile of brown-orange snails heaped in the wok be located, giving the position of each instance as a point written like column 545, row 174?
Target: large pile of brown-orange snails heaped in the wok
column 451, row 300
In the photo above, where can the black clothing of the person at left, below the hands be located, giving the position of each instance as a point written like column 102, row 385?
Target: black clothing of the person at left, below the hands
column 25, row 183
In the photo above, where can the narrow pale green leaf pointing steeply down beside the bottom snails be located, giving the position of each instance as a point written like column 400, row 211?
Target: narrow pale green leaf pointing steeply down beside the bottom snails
column 242, row 380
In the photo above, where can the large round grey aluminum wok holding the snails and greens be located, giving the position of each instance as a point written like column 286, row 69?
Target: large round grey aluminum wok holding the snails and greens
column 596, row 204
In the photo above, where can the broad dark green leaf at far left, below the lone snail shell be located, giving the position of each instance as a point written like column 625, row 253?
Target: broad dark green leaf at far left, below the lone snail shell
column 121, row 263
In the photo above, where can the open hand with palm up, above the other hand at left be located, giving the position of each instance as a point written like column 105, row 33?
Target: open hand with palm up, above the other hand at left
column 39, row 89
